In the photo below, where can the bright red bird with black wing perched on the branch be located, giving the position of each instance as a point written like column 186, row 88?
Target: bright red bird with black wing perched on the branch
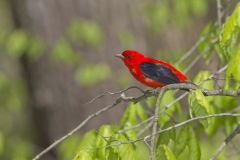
column 151, row 72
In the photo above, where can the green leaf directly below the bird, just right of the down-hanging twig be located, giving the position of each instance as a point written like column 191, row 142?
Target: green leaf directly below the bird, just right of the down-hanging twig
column 166, row 115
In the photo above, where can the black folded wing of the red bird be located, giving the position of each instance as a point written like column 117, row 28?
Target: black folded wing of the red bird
column 158, row 73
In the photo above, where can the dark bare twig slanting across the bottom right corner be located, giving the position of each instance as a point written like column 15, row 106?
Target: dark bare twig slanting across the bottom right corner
column 226, row 141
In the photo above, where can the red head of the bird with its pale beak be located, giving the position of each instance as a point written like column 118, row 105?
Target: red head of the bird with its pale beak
column 130, row 56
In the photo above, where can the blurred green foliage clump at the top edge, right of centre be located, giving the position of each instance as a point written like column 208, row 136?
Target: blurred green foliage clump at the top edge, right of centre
column 158, row 15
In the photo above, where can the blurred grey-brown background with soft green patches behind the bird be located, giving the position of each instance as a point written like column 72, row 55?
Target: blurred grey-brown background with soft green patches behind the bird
column 56, row 55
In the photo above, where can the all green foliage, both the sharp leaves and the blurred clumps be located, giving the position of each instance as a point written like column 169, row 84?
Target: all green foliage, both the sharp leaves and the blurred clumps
column 120, row 141
